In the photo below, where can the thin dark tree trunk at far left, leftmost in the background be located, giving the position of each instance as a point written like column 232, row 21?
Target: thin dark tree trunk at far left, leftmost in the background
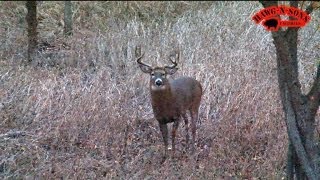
column 32, row 28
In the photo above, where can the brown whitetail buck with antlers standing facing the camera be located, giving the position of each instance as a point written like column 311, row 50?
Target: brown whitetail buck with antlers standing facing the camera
column 171, row 99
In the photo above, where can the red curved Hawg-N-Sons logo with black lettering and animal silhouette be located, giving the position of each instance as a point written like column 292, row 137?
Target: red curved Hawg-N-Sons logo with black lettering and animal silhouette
column 270, row 17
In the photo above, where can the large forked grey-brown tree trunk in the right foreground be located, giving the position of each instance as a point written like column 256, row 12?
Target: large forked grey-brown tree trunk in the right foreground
column 300, row 110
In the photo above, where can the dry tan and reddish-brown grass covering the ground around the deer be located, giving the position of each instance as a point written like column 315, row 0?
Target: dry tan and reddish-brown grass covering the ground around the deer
column 84, row 112
